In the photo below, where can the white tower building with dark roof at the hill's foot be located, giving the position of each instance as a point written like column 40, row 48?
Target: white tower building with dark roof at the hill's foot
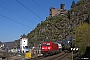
column 23, row 42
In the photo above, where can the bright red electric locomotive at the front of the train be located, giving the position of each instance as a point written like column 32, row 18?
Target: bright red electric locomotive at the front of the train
column 49, row 48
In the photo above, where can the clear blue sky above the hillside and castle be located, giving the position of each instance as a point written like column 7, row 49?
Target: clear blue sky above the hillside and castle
column 19, row 17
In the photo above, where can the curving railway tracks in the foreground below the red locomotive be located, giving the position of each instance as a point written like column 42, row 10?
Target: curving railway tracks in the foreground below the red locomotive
column 60, row 56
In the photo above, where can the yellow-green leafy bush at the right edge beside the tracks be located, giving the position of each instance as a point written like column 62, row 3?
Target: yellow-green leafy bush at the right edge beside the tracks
column 82, row 36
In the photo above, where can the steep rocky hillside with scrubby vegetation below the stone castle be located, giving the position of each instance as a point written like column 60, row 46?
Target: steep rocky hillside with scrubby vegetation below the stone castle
column 58, row 27
